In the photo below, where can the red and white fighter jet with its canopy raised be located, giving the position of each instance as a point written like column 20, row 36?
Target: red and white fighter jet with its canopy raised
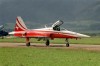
column 46, row 33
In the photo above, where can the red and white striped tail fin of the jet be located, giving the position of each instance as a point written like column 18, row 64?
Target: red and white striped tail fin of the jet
column 20, row 26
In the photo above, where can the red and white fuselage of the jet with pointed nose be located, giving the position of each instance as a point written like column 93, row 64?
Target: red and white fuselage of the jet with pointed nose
column 48, row 32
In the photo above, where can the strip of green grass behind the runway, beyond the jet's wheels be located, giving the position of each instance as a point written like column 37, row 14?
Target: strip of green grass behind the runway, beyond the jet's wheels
column 92, row 40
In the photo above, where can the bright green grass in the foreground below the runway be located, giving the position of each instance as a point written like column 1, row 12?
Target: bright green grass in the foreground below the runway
column 29, row 56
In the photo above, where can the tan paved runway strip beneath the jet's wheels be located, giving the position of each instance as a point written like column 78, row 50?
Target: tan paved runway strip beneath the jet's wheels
column 72, row 46
